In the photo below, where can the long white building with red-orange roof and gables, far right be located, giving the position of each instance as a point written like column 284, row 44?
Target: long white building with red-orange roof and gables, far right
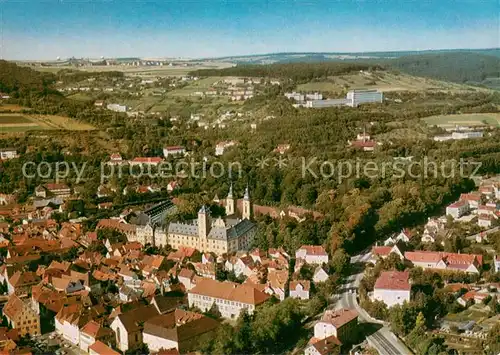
column 470, row 263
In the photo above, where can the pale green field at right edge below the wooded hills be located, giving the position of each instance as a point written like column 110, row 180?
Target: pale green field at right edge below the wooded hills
column 468, row 119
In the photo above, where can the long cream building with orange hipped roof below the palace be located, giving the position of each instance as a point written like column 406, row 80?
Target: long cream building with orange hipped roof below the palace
column 229, row 298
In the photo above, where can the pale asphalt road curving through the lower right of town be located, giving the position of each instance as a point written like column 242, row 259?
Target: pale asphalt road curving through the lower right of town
column 382, row 339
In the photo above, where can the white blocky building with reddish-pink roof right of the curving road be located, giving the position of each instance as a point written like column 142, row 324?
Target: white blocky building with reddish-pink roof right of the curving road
column 392, row 288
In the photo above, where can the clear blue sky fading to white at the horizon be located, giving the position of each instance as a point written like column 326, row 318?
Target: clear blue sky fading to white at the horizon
column 47, row 29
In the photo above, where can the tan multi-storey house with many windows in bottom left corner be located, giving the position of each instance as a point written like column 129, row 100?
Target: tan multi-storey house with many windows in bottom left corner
column 21, row 316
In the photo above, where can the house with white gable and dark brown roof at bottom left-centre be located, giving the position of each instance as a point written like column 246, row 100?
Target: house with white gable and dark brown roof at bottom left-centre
column 128, row 326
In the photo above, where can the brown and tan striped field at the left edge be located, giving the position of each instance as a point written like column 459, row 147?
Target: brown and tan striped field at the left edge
column 22, row 123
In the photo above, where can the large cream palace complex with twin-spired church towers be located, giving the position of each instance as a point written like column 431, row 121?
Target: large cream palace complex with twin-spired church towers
column 218, row 235
